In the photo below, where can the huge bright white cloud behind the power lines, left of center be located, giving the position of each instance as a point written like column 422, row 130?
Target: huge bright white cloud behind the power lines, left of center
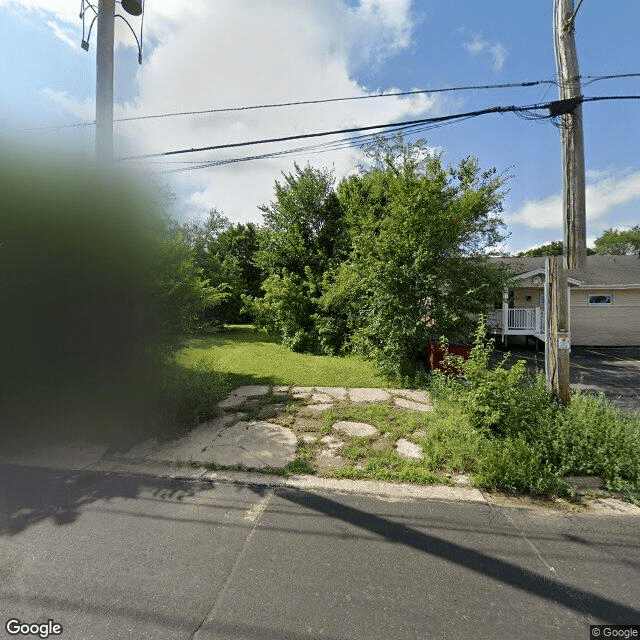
column 215, row 53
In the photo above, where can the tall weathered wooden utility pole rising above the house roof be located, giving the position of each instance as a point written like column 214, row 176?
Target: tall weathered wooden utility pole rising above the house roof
column 575, row 226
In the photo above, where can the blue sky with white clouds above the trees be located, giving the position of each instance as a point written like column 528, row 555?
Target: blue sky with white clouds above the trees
column 213, row 54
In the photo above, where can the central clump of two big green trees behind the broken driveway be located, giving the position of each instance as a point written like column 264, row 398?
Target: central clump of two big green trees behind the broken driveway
column 394, row 257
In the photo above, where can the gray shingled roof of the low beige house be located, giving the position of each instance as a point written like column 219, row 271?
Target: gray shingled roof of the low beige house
column 601, row 270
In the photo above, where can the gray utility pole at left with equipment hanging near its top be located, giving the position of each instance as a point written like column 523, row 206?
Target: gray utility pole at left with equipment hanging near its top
column 104, row 81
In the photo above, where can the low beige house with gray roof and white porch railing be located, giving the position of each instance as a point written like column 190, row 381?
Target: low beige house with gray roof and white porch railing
column 604, row 308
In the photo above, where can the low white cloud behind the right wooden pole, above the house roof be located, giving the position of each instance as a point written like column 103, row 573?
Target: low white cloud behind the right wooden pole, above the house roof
column 606, row 191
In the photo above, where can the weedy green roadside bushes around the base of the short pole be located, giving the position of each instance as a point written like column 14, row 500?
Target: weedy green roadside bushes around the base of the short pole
column 524, row 442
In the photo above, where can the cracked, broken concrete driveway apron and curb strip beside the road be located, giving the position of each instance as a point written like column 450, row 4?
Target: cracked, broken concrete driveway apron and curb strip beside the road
column 236, row 439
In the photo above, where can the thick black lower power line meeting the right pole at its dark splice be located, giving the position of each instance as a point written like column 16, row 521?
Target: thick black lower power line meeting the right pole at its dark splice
column 528, row 110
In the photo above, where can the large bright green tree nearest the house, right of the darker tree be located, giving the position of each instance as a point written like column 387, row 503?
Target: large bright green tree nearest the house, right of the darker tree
column 418, row 266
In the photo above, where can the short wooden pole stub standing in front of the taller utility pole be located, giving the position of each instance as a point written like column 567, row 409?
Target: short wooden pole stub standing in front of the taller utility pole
column 557, row 331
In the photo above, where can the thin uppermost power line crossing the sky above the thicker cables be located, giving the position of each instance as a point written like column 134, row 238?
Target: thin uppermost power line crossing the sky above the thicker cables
column 508, row 85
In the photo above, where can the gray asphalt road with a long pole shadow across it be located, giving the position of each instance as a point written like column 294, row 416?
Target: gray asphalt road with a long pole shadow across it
column 112, row 556
